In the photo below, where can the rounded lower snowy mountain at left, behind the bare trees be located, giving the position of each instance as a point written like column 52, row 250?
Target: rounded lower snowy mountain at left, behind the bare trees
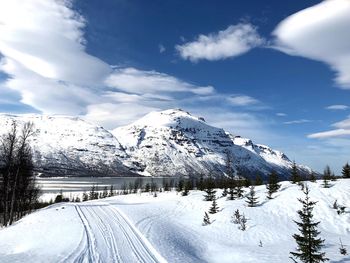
column 70, row 146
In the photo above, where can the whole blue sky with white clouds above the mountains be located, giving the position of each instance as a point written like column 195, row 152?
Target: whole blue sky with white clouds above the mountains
column 277, row 72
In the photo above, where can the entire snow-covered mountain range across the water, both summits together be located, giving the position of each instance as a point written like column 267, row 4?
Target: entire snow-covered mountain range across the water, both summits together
column 166, row 143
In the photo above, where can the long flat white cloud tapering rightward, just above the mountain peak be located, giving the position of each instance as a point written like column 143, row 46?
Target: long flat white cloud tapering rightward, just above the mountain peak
column 139, row 81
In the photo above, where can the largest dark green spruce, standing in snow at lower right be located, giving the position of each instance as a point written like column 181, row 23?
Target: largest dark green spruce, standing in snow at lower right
column 308, row 245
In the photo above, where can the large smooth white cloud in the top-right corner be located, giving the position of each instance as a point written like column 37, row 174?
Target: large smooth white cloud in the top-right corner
column 322, row 33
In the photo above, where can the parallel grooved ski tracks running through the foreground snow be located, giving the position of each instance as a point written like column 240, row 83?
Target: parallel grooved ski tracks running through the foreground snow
column 110, row 237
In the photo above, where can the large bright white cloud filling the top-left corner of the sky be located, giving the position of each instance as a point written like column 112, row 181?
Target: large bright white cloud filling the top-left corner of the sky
column 46, row 38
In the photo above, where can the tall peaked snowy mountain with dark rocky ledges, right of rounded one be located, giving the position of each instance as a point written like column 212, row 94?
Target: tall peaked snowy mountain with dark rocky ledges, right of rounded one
column 173, row 142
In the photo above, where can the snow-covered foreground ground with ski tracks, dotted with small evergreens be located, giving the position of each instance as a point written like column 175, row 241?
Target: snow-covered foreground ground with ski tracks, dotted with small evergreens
column 168, row 228
